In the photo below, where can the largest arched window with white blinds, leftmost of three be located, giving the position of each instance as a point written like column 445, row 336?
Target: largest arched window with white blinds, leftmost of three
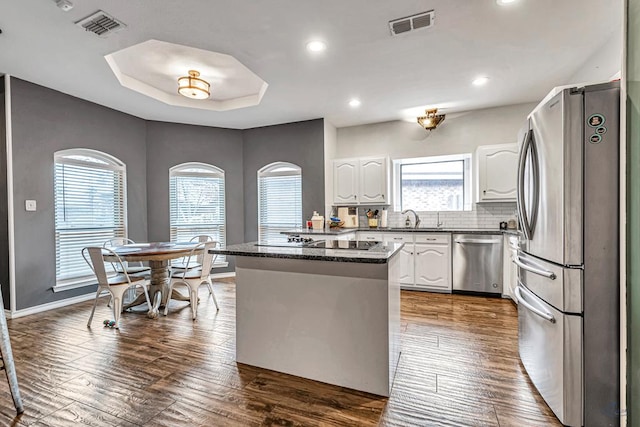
column 90, row 208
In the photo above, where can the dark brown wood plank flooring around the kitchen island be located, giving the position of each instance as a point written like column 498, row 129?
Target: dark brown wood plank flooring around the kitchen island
column 459, row 367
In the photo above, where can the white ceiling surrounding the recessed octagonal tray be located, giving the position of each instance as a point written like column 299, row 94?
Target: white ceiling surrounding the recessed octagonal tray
column 525, row 48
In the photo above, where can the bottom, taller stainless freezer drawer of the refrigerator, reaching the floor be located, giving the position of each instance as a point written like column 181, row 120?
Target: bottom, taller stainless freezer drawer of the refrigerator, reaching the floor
column 550, row 345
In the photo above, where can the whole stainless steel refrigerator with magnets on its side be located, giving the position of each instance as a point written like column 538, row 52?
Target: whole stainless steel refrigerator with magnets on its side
column 569, row 262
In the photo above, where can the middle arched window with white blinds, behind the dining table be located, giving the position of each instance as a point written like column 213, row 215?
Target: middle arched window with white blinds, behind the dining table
column 196, row 194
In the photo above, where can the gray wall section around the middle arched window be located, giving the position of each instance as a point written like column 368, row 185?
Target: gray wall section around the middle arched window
column 170, row 144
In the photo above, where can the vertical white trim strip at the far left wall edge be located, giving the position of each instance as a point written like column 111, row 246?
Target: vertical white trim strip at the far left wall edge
column 10, row 213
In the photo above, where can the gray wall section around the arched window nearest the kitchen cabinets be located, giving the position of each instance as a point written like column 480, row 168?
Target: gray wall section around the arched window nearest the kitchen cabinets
column 301, row 143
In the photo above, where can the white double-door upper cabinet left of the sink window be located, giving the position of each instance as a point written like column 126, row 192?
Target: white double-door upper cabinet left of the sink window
column 361, row 181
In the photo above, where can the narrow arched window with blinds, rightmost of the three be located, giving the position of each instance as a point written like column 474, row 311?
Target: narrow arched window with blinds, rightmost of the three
column 279, row 199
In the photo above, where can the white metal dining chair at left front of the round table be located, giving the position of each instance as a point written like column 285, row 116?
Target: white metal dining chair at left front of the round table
column 116, row 285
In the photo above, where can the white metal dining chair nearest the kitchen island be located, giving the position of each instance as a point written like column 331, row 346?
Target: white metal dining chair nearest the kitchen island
column 193, row 278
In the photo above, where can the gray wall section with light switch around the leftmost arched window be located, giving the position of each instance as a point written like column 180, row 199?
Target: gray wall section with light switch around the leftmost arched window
column 43, row 122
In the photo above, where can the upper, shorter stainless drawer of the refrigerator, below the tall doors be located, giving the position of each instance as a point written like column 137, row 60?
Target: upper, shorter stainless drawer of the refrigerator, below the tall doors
column 559, row 286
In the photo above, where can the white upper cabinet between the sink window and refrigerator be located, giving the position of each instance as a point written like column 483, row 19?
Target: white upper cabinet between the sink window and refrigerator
column 497, row 170
